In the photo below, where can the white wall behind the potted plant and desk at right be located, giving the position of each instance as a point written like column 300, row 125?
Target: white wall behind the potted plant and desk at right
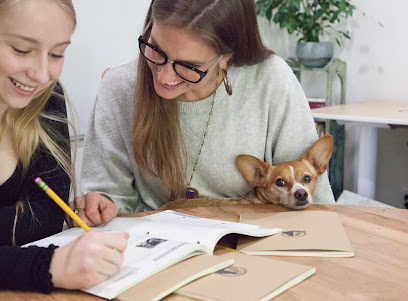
column 376, row 70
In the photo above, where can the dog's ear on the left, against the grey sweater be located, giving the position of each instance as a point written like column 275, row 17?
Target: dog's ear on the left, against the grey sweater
column 253, row 169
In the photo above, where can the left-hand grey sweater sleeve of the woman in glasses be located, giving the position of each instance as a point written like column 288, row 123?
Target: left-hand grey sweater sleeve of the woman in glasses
column 106, row 167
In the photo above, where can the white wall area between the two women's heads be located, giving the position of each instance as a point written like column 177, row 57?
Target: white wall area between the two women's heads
column 106, row 35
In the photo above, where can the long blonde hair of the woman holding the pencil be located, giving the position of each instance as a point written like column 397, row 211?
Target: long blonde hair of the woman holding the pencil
column 28, row 126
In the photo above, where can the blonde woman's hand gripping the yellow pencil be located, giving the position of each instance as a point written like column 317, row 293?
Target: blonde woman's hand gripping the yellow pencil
column 88, row 260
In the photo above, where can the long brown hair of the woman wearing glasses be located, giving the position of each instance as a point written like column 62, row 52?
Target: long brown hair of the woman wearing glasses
column 229, row 27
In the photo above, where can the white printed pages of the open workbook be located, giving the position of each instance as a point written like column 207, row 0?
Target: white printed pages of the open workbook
column 156, row 242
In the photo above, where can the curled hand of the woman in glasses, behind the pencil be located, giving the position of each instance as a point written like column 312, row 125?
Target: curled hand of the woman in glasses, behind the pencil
column 93, row 208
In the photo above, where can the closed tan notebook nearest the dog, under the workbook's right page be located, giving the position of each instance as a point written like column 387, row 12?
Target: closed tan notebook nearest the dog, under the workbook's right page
column 305, row 233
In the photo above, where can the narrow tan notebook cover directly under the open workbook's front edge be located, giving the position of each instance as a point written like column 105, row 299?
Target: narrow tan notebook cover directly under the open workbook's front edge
column 167, row 281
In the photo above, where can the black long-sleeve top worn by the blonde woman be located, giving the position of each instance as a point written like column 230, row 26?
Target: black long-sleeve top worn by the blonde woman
column 28, row 268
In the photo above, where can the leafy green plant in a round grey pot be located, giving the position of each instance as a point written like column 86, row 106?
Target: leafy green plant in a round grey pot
column 310, row 20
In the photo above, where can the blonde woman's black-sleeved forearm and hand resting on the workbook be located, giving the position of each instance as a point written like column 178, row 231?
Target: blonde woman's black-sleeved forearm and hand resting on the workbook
column 80, row 264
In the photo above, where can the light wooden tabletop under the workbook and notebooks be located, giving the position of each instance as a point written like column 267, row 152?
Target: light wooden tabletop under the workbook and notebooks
column 379, row 270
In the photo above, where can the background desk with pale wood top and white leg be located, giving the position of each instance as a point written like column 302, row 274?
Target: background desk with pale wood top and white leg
column 369, row 116
